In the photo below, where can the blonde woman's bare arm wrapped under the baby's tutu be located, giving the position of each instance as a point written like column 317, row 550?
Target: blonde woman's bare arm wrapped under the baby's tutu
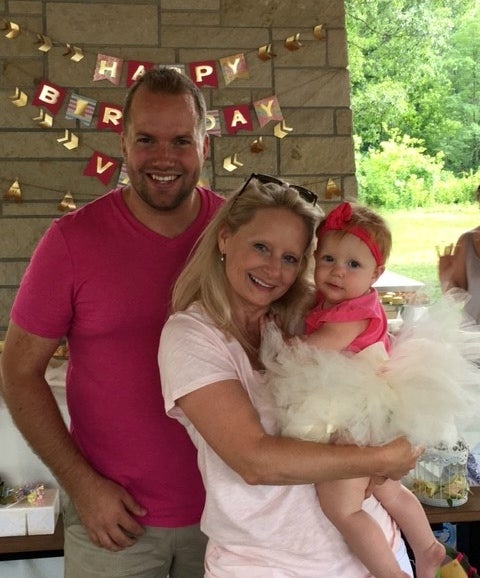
column 224, row 416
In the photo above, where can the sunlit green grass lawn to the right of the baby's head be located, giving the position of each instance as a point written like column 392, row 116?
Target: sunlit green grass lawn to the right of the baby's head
column 417, row 232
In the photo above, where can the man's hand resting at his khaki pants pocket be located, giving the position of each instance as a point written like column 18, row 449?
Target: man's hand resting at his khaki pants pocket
column 106, row 510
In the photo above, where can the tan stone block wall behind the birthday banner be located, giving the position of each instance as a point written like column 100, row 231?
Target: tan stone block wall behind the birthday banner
column 310, row 82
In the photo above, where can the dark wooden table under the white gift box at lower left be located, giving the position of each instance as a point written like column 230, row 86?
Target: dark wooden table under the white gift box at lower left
column 43, row 546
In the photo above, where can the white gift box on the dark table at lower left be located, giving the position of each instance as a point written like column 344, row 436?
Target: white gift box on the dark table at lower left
column 35, row 518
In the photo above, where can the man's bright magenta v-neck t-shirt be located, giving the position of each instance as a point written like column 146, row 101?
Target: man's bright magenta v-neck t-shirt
column 101, row 278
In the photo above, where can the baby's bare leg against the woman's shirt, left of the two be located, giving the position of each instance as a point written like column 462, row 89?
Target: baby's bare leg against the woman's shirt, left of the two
column 341, row 501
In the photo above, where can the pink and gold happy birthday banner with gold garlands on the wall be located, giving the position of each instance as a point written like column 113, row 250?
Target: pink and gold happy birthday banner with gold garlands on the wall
column 49, row 98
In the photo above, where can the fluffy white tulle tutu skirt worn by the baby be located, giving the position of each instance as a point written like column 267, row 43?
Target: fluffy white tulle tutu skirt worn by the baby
column 427, row 388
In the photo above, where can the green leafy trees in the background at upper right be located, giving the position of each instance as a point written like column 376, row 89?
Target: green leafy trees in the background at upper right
column 415, row 69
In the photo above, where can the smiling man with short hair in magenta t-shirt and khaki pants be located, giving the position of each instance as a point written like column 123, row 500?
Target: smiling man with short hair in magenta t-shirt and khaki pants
column 101, row 277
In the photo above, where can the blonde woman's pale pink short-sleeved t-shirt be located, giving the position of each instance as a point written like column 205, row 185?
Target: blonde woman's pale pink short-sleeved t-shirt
column 264, row 531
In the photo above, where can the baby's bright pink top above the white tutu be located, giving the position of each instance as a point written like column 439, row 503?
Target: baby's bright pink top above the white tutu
column 367, row 306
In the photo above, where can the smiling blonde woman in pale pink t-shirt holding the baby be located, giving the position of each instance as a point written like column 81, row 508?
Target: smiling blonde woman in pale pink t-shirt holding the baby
column 261, row 515
